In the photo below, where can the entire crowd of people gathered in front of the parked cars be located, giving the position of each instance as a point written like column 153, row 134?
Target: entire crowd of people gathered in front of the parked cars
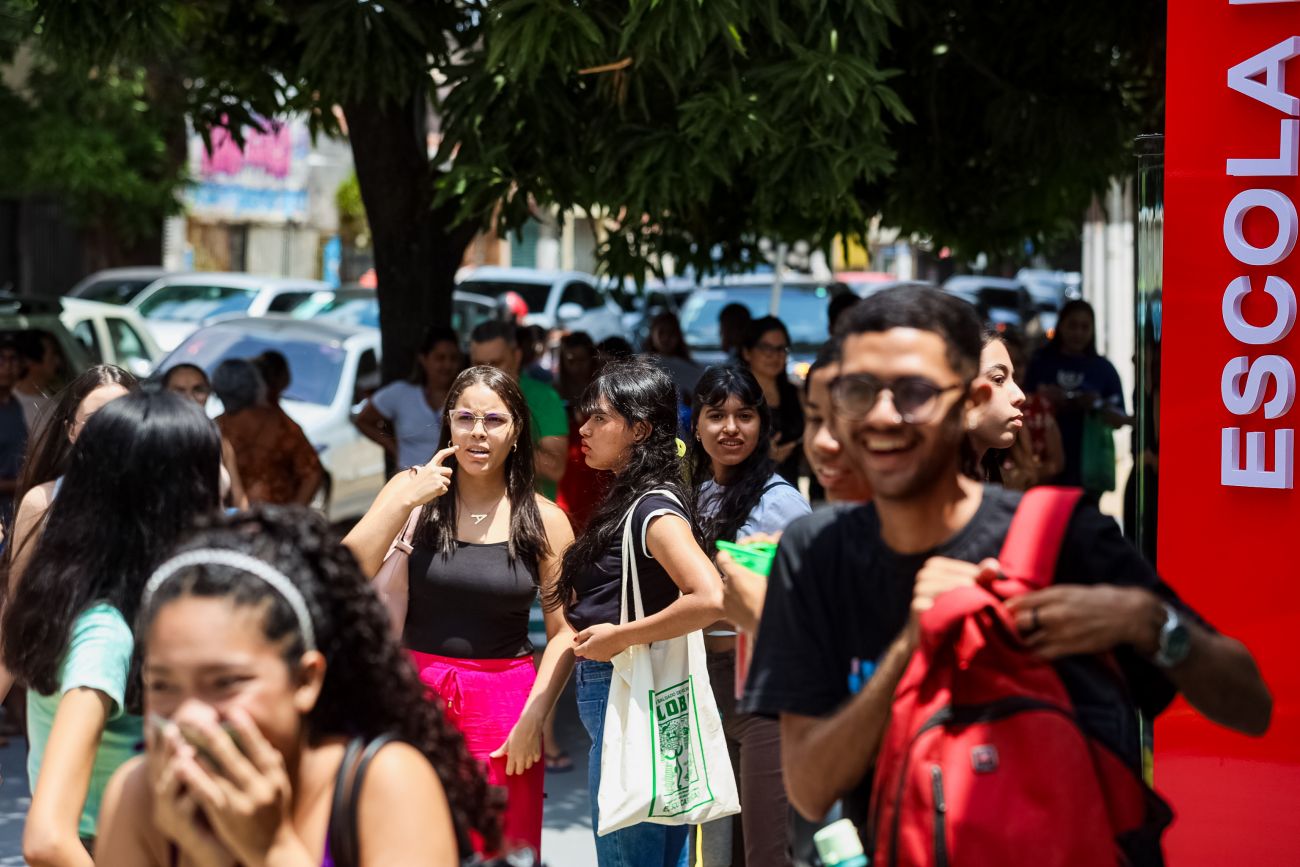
column 213, row 680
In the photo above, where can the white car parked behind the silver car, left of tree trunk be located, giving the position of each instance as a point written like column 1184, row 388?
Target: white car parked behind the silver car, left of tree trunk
column 179, row 305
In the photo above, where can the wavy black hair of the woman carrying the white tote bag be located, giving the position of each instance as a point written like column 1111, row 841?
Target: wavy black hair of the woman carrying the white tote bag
column 639, row 391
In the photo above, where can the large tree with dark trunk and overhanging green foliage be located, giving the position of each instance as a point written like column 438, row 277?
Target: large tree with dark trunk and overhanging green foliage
column 696, row 127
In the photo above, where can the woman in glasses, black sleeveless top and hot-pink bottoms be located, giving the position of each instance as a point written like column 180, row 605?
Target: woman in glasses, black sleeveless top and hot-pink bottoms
column 486, row 544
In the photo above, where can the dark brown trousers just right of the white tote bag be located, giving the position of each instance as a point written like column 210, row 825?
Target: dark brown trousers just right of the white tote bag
column 760, row 835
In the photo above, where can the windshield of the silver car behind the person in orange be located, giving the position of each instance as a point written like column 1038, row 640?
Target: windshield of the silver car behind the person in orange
column 314, row 367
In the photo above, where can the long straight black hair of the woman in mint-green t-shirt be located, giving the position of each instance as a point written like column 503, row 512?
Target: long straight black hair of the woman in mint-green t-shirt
column 144, row 470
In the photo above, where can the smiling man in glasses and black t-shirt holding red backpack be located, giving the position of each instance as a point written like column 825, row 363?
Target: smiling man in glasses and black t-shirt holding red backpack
column 848, row 583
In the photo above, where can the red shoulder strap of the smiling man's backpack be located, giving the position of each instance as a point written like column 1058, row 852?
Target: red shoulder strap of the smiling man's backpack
column 1034, row 541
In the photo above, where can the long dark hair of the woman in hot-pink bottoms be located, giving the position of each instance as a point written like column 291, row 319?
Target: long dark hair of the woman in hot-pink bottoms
column 437, row 527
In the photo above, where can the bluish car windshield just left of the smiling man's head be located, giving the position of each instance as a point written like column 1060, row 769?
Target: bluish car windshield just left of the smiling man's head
column 804, row 310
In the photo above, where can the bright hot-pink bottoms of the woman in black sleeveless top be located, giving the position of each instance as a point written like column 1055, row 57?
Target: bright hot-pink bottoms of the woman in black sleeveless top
column 484, row 699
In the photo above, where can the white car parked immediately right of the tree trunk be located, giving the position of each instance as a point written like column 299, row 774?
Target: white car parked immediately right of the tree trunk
column 564, row 300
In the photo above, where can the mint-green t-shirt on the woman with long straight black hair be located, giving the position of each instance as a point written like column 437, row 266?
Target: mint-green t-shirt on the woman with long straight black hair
column 99, row 657
